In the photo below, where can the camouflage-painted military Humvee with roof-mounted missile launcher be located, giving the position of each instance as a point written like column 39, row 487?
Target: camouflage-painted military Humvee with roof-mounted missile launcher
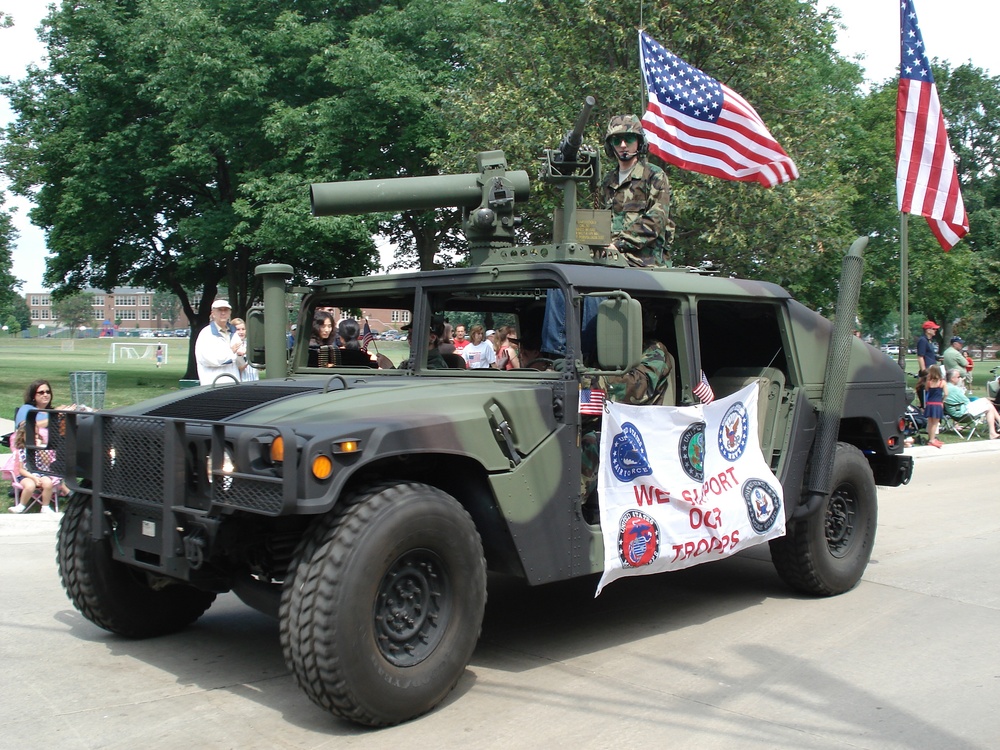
column 363, row 506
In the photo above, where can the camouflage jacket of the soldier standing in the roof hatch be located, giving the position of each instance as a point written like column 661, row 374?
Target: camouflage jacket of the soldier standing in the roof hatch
column 640, row 220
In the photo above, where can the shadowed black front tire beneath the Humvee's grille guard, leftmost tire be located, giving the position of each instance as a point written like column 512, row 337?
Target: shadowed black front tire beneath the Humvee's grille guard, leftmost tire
column 115, row 596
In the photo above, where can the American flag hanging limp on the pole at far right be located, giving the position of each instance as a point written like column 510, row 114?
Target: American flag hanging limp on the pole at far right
column 926, row 180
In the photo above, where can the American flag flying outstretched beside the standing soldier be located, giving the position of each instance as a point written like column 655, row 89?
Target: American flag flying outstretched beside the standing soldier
column 699, row 124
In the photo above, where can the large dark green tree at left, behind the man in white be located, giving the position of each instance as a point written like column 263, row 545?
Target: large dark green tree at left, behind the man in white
column 159, row 112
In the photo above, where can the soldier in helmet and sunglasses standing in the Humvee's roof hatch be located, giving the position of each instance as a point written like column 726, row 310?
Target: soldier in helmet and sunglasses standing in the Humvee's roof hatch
column 638, row 195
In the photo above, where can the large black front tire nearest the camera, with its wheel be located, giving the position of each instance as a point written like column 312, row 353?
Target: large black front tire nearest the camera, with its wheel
column 384, row 606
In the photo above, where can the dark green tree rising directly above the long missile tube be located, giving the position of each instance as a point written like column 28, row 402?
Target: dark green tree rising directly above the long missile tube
column 379, row 113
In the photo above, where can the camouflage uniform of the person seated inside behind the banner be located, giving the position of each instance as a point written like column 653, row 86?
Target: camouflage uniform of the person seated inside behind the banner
column 643, row 384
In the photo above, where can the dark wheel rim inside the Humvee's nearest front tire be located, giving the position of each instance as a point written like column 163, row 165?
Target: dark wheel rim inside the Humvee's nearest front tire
column 412, row 608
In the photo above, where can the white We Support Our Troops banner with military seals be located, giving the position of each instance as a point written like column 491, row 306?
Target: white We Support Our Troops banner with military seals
column 683, row 485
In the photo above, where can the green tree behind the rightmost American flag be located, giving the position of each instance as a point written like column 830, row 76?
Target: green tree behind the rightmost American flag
column 954, row 287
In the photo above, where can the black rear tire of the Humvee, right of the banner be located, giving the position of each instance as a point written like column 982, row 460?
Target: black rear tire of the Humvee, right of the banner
column 827, row 553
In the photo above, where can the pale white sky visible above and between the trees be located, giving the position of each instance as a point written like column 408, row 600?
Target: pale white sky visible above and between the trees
column 957, row 31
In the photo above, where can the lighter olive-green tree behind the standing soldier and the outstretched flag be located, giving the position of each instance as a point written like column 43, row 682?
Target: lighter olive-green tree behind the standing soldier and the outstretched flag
column 777, row 53
